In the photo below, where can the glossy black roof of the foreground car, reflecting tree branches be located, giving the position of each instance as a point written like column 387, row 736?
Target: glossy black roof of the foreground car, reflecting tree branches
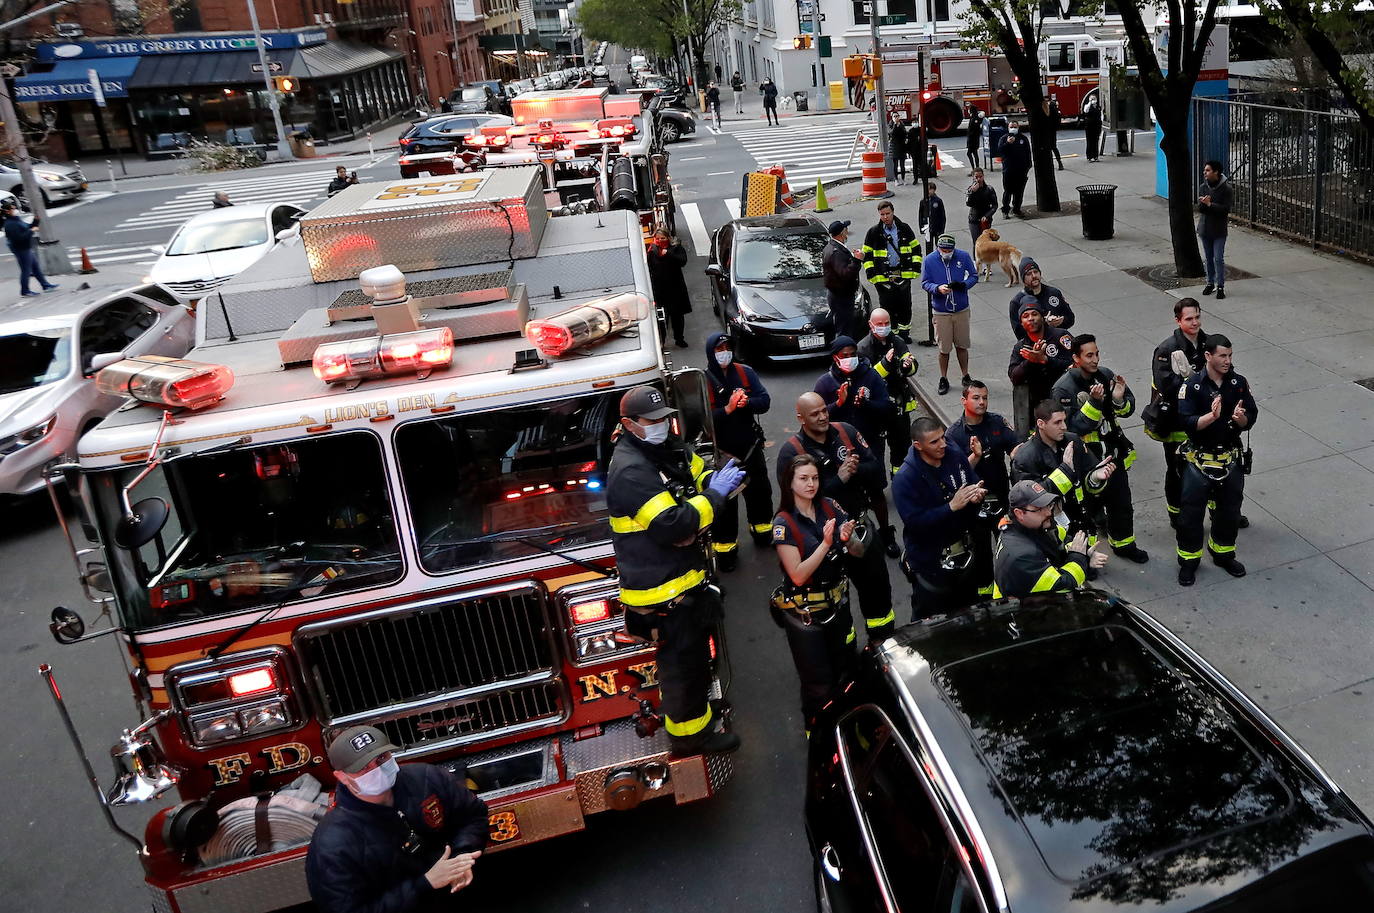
column 1105, row 768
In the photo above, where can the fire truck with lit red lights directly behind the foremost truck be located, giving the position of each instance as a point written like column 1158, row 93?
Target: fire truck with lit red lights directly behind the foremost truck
column 597, row 152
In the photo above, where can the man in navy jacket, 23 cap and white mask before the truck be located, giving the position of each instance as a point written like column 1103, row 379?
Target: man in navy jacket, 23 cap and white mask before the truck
column 398, row 839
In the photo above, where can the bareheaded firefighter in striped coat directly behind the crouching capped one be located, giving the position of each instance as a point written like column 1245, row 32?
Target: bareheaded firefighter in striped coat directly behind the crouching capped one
column 1057, row 460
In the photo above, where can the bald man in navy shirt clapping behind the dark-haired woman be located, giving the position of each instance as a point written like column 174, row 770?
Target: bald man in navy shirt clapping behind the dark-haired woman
column 854, row 476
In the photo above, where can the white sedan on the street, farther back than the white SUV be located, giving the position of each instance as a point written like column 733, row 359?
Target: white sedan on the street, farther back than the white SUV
column 218, row 245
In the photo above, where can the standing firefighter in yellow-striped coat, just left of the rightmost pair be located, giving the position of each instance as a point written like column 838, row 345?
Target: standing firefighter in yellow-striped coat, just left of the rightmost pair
column 1096, row 401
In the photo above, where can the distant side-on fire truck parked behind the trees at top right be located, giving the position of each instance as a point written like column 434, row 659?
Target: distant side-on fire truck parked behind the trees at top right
column 1072, row 67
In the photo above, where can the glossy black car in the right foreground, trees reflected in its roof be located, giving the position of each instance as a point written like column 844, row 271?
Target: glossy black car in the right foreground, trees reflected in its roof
column 1070, row 757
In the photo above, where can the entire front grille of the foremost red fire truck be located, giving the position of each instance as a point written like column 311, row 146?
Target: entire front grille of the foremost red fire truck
column 425, row 659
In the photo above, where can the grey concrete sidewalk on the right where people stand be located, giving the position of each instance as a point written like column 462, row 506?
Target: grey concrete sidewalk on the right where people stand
column 1296, row 633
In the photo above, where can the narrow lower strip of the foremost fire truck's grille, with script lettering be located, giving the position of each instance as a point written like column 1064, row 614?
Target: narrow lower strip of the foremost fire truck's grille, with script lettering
column 475, row 718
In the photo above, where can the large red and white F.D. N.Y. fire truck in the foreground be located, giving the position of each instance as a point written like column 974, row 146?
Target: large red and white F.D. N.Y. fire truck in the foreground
column 374, row 493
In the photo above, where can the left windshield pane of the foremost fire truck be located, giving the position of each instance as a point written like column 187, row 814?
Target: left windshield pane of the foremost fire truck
column 254, row 527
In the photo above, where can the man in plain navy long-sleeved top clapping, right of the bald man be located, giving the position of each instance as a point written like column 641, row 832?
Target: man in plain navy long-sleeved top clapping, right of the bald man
column 949, row 556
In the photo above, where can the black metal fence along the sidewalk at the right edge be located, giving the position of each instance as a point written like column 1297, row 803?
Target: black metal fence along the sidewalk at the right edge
column 1295, row 168
